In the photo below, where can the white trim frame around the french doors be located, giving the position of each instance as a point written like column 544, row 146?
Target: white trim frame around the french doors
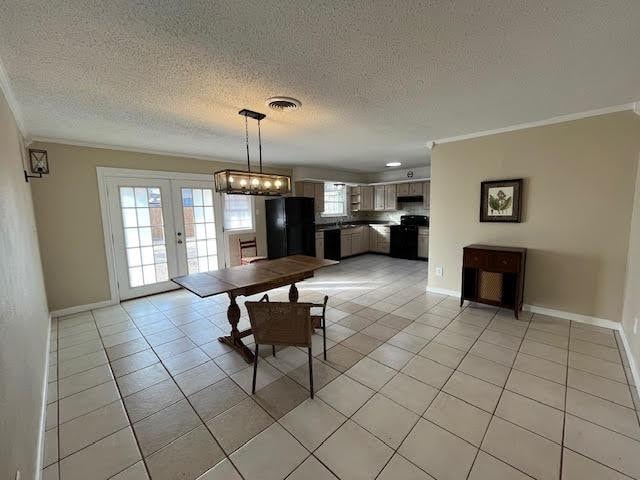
column 103, row 173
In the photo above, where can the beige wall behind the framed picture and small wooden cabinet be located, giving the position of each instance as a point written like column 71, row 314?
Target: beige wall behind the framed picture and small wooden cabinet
column 578, row 195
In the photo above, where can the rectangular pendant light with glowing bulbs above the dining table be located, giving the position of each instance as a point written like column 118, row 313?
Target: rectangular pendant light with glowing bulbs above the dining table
column 239, row 182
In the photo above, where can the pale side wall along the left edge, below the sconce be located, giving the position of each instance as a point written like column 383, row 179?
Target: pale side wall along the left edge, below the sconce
column 24, row 318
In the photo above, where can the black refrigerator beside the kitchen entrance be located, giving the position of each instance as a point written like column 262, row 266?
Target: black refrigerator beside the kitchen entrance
column 291, row 227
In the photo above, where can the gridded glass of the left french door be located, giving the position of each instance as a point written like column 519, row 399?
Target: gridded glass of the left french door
column 144, row 235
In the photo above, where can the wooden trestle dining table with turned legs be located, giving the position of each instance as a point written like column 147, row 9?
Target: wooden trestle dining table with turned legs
column 248, row 280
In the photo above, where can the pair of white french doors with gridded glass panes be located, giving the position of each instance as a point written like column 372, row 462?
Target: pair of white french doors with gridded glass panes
column 162, row 228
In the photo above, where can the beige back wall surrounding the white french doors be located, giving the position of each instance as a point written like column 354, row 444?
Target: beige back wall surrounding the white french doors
column 67, row 210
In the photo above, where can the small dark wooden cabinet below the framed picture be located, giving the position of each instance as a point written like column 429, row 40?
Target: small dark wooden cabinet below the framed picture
column 494, row 276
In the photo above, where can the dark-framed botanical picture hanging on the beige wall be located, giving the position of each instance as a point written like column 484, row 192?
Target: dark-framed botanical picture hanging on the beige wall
column 501, row 200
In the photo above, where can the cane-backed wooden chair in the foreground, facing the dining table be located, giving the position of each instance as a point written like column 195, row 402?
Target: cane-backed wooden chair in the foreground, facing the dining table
column 281, row 323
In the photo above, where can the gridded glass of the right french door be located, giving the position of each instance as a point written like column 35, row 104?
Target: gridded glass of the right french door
column 199, row 229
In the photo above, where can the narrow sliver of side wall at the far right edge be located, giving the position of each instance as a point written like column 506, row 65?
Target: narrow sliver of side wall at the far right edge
column 631, row 309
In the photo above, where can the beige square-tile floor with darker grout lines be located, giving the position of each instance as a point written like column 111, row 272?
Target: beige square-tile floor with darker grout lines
column 414, row 388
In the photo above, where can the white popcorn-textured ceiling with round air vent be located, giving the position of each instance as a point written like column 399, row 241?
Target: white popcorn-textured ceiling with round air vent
column 377, row 79
